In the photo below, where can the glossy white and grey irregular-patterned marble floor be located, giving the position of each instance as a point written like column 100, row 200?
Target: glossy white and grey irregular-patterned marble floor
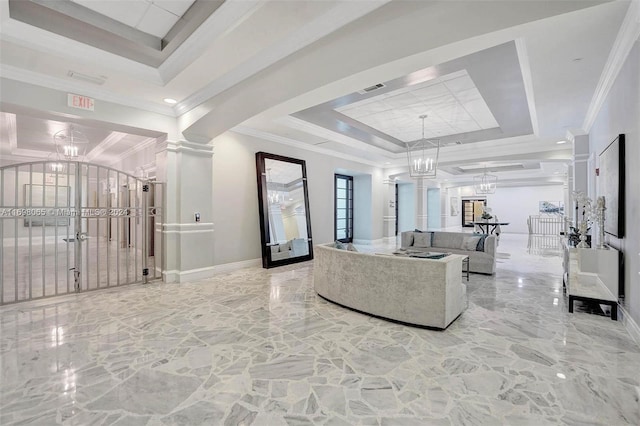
column 259, row 347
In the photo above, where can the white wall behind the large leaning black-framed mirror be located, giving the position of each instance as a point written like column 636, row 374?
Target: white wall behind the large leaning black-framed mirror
column 235, row 194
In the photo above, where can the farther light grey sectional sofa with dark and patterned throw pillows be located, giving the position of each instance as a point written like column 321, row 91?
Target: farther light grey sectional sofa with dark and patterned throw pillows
column 452, row 242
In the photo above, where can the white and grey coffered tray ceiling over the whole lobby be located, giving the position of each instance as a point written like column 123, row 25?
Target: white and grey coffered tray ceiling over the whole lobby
column 501, row 82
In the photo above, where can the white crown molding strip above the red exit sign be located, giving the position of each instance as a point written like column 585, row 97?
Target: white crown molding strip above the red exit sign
column 25, row 76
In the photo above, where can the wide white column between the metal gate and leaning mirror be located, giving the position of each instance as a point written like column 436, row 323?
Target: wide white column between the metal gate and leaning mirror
column 186, row 168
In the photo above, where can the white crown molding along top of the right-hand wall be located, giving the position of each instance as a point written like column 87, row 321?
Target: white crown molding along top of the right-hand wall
column 627, row 37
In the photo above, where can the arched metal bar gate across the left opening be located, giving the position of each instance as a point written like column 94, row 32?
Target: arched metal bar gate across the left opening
column 71, row 226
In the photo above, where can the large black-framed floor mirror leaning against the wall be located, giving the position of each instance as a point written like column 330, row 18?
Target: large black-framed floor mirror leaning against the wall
column 285, row 227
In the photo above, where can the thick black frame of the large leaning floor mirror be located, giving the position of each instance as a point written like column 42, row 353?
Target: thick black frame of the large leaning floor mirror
column 263, row 205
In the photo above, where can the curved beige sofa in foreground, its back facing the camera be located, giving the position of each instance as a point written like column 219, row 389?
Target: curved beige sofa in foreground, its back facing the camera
column 423, row 292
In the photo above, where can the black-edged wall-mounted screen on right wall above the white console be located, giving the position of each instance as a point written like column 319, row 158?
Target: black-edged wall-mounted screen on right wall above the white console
column 611, row 185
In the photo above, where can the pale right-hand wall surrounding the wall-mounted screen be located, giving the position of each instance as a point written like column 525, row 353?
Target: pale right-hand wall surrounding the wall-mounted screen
column 620, row 113
